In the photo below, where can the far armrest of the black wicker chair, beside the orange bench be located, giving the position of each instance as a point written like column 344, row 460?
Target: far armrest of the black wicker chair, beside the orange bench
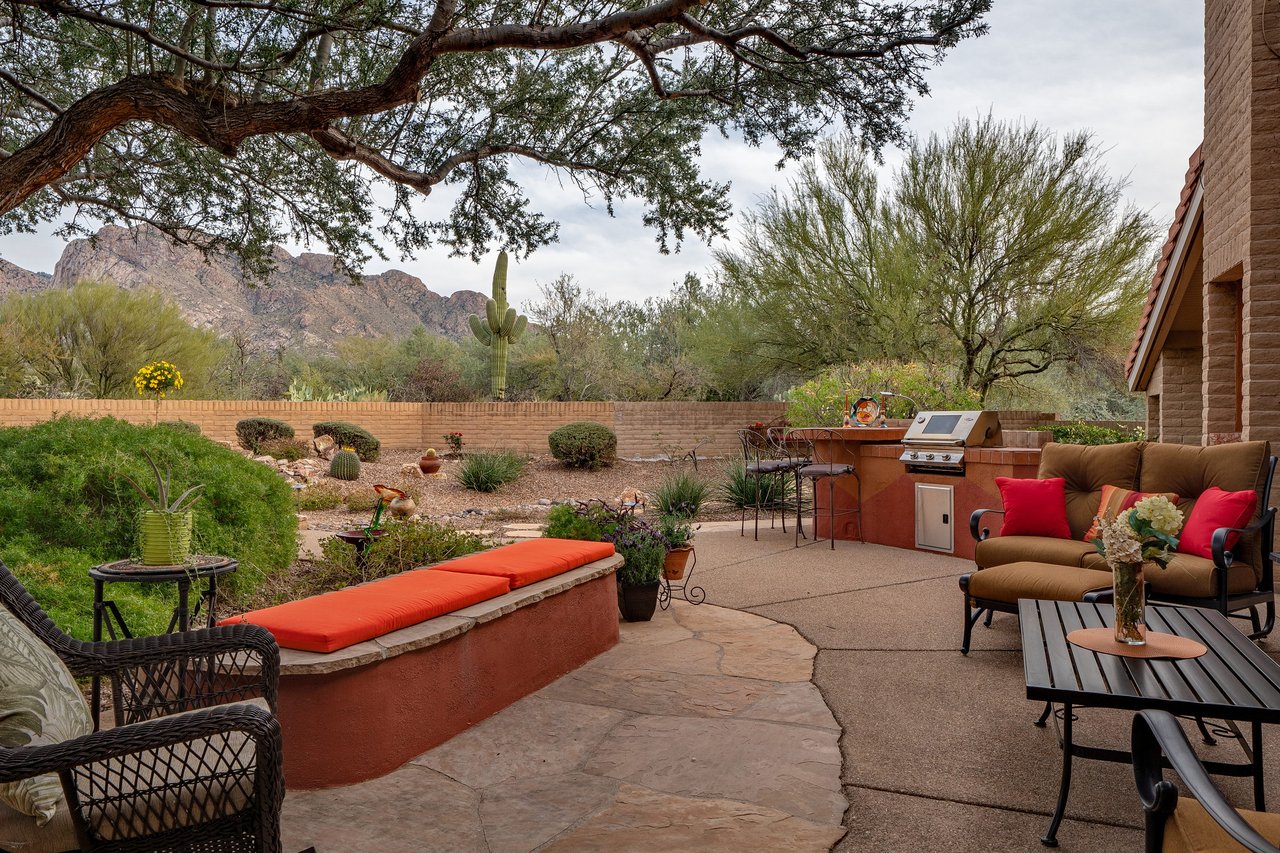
column 245, row 658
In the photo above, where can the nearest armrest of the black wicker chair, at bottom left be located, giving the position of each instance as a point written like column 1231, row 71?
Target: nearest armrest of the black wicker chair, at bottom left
column 24, row 763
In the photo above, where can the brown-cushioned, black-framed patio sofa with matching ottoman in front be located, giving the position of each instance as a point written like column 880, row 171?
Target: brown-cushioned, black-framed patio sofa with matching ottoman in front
column 1233, row 573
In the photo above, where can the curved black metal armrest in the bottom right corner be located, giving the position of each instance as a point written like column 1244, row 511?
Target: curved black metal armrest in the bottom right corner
column 1155, row 735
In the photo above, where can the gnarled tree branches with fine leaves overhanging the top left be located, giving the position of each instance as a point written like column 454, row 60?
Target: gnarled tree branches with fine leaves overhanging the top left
column 239, row 124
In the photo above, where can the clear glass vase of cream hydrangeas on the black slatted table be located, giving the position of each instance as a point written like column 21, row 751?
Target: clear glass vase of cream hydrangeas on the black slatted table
column 1148, row 535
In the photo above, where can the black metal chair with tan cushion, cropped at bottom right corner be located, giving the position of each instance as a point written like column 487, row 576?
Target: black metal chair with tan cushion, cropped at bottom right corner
column 1159, row 741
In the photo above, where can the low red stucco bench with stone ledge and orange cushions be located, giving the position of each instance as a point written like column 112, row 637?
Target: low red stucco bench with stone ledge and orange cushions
column 374, row 676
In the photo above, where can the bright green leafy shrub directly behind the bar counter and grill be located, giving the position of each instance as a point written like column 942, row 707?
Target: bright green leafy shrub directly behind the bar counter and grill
column 820, row 403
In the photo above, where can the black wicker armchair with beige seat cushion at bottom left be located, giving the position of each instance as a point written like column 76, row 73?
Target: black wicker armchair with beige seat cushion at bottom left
column 204, row 782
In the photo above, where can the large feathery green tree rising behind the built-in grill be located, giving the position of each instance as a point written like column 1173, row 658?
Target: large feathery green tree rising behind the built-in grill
column 999, row 250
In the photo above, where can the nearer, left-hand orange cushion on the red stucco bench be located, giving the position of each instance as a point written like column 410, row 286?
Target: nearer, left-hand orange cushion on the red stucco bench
column 348, row 617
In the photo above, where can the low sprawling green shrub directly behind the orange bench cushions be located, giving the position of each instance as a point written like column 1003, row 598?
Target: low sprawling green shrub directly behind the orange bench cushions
column 408, row 545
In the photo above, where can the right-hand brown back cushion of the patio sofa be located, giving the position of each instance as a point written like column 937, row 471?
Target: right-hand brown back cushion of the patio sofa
column 1190, row 471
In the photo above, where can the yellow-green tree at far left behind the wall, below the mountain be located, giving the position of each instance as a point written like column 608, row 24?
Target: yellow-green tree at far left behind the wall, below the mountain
column 92, row 339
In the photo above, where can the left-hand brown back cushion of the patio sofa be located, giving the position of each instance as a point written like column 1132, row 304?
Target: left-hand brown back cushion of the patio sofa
column 1087, row 471
